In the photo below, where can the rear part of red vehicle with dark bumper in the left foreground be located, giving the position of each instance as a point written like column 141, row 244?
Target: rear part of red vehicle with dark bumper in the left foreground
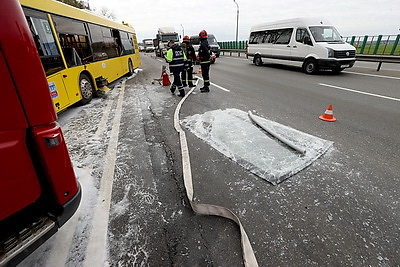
column 38, row 188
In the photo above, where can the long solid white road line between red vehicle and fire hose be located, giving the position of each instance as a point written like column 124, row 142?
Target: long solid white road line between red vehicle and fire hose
column 96, row 251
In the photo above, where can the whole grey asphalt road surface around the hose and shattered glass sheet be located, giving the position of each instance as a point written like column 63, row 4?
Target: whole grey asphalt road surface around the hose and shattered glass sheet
column 343, row 210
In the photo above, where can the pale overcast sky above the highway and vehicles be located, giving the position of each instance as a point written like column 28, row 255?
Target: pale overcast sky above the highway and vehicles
column 351, row 17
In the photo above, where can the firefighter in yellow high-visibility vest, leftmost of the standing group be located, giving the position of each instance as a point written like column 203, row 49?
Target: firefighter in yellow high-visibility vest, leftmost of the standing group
column 176, row 59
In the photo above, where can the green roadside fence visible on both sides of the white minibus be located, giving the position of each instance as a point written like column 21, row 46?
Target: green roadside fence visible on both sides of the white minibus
column 367, row 45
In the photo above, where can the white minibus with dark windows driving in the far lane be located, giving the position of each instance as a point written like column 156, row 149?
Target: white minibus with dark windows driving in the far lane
column 310, row 43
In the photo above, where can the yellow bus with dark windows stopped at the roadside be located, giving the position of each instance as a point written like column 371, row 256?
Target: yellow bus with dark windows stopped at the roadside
column 80, row 52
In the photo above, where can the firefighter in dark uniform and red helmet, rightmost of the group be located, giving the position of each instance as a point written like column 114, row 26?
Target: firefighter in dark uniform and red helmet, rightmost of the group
column 204, row 59
